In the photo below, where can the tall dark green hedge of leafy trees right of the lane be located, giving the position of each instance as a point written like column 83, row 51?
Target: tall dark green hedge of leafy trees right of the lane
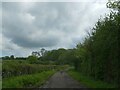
column 98, row 55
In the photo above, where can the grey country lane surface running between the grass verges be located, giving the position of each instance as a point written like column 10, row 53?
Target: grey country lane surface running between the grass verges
column 62, row 80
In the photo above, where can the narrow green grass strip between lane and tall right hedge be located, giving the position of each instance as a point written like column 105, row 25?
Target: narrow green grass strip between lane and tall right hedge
column 89, row 82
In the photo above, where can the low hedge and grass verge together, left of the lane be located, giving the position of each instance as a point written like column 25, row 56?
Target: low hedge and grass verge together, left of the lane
column 24, row 74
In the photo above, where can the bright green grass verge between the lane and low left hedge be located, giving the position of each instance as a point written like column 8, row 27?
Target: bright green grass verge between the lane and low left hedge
column 34, row 80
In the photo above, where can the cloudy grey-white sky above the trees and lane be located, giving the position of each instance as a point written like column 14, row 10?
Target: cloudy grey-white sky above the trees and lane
column 28, row 26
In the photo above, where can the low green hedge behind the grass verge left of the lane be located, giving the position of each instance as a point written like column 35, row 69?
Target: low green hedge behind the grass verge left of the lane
column 16, row 68
